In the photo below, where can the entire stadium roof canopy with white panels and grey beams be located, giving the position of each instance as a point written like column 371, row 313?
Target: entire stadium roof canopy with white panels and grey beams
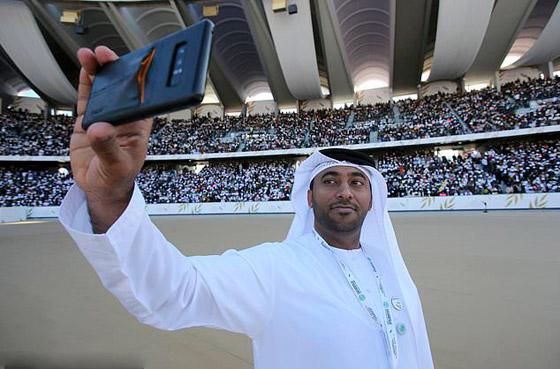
column 327, row 48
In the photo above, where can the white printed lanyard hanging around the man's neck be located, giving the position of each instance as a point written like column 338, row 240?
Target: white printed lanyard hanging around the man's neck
column 386, row 323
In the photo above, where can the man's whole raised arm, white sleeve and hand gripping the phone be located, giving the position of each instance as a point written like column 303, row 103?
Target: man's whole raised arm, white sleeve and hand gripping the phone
column 105, row 214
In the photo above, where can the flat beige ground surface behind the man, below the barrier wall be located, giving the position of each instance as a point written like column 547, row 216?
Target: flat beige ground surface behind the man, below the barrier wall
column 490, row 284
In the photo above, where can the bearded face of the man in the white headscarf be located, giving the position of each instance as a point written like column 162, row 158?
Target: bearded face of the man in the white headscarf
column 341, row 198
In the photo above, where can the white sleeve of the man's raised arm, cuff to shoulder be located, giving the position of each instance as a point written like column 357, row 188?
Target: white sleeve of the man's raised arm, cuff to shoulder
column 163, row 288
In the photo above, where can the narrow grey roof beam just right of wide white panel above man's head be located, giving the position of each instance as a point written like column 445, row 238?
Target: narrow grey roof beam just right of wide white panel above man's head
column 341, row 84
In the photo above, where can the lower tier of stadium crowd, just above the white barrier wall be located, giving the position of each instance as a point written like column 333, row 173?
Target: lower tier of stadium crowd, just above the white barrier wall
column 520, row 167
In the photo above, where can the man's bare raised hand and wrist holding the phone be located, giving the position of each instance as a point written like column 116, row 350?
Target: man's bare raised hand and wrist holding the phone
column 105, row 159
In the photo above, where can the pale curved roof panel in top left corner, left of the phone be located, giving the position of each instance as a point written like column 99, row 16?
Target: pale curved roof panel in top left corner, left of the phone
column 35, row 61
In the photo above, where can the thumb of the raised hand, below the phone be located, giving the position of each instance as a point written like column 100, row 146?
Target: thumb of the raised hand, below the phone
column 103, row 140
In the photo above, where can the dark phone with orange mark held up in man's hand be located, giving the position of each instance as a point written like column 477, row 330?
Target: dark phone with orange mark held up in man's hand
column 164, row 76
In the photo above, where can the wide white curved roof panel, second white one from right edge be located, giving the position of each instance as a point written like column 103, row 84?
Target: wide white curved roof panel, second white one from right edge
column 461, row 28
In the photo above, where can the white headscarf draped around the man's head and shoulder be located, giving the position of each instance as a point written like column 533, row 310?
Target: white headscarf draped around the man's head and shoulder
column 377, row 236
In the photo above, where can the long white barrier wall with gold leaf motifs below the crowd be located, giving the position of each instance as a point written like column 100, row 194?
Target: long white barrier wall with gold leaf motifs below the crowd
column 537, row 201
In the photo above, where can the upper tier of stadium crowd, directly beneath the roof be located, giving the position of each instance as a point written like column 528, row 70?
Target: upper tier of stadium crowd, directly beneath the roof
column 432, row 116
